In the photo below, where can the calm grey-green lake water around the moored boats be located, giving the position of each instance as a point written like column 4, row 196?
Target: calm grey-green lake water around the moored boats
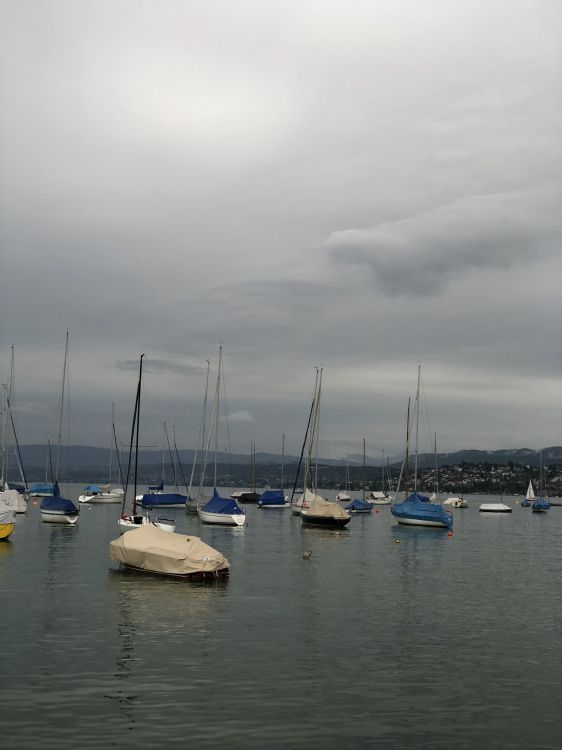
column 387, row 637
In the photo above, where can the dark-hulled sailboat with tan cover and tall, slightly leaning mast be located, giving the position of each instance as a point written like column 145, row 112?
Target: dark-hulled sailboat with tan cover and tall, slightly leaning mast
column 316, row 510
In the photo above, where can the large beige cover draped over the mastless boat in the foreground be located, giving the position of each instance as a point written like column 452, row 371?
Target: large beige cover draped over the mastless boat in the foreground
column 151, row 549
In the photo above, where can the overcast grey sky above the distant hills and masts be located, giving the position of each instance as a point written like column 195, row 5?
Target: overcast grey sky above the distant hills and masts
column 360, row 185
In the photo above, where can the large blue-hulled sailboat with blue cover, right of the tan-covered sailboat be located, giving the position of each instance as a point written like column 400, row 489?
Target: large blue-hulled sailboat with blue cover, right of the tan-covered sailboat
column 416, row 509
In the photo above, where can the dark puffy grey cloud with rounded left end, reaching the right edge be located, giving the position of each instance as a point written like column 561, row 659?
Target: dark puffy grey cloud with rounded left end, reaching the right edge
column 420, row 254
